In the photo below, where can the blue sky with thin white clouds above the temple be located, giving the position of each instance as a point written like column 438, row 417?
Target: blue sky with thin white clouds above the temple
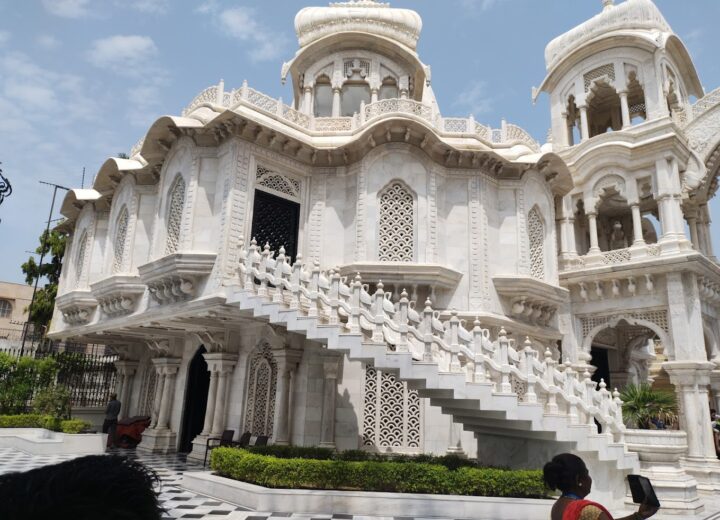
column 82, row 80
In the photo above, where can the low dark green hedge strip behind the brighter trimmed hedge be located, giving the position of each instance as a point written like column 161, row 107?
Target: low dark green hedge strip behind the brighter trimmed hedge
column 300, row 452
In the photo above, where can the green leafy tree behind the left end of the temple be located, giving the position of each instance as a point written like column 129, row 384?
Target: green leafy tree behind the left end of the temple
column 52, row 246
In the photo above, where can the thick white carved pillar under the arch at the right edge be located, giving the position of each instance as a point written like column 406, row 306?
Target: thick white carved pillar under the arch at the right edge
column 691, row 380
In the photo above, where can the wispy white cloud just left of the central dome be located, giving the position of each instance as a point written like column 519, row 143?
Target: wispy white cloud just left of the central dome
column 242, row 24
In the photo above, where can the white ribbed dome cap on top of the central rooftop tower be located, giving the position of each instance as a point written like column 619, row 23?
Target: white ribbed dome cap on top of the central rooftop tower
column 368, row 16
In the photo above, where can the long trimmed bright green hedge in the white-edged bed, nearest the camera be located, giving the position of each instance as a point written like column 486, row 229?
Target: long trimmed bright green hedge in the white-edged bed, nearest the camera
column 386, row 476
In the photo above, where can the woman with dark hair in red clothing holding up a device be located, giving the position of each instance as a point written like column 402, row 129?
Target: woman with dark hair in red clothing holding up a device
column 569, row 474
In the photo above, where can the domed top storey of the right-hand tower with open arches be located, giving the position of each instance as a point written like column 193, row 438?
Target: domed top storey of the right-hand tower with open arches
column 620, row 68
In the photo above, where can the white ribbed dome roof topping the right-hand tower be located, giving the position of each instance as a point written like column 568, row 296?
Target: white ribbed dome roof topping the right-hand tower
column 641, row 15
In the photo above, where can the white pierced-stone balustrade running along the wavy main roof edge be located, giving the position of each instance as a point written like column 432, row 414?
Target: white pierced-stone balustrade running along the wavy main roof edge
column 216, row 97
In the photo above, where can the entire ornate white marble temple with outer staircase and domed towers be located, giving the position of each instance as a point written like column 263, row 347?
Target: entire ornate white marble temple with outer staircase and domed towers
column 356, row 270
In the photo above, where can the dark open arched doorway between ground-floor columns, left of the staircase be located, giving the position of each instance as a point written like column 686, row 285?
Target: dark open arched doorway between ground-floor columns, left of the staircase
column 198, row 383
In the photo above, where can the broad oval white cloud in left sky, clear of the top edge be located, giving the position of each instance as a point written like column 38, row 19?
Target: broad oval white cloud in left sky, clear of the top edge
column 124, row 55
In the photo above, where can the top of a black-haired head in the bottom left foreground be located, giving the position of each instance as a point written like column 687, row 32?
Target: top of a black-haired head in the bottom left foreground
column 87, row 488
